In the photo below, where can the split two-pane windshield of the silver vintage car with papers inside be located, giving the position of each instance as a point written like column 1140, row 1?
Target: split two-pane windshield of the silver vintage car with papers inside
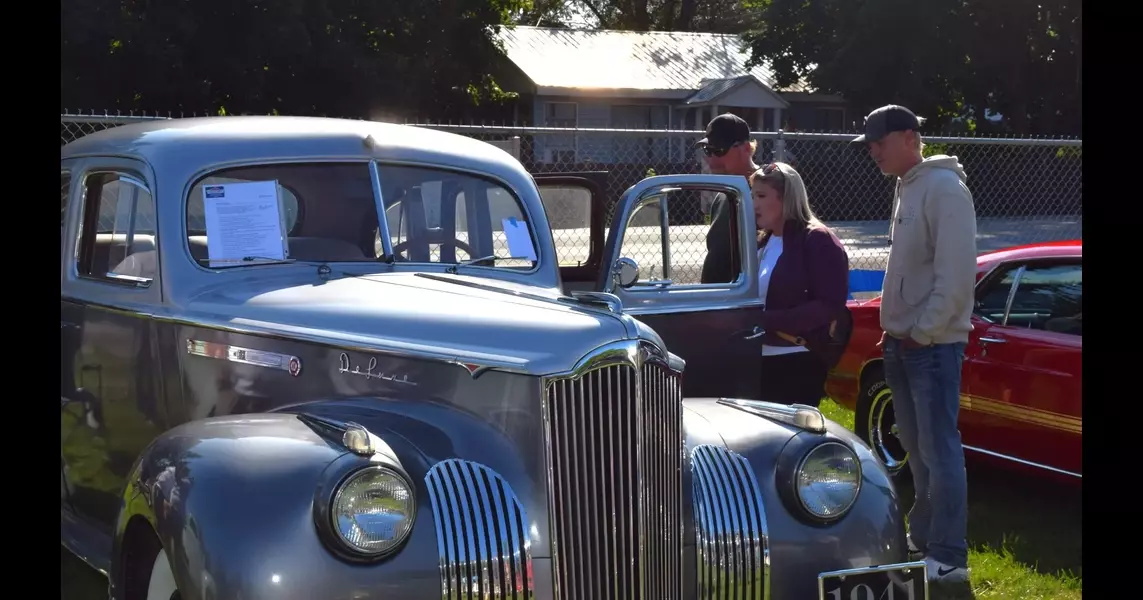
column 325, row 212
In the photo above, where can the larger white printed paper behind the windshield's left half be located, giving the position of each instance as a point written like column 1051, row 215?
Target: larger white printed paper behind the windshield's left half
column 244, row 220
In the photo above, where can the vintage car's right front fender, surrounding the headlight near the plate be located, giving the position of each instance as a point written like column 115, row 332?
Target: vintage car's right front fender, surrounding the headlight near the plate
column 796, row 550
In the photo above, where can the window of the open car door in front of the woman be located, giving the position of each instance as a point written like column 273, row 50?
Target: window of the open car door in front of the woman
column 667, row 236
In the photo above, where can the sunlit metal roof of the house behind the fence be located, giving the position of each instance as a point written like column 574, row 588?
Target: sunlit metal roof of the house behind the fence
column 667, row 61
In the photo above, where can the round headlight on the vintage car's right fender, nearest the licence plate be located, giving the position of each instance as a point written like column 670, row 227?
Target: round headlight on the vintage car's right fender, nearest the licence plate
column 828, row 481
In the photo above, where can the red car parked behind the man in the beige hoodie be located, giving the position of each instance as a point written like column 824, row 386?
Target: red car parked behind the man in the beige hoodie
column 1021, row 395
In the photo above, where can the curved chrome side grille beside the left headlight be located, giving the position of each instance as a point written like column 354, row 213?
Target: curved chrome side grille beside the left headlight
column 482, row 539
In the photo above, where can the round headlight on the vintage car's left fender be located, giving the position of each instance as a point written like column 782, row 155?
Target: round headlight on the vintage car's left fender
column 373, row 511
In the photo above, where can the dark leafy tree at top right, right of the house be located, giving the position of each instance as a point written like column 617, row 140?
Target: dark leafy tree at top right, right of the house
column 948, row 60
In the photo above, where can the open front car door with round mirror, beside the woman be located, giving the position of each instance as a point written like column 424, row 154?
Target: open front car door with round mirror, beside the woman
column 657, row 255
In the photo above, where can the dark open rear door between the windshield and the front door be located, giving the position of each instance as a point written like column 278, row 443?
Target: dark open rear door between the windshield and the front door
column 577, row 205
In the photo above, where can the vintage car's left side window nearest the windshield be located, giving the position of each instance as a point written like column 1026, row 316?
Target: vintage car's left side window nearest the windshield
column 119, row 230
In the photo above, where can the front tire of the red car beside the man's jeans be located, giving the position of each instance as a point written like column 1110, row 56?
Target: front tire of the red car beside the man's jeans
column 875, row 422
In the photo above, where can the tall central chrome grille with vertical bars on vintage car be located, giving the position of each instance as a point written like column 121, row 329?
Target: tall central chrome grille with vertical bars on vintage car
column 616, row 450
